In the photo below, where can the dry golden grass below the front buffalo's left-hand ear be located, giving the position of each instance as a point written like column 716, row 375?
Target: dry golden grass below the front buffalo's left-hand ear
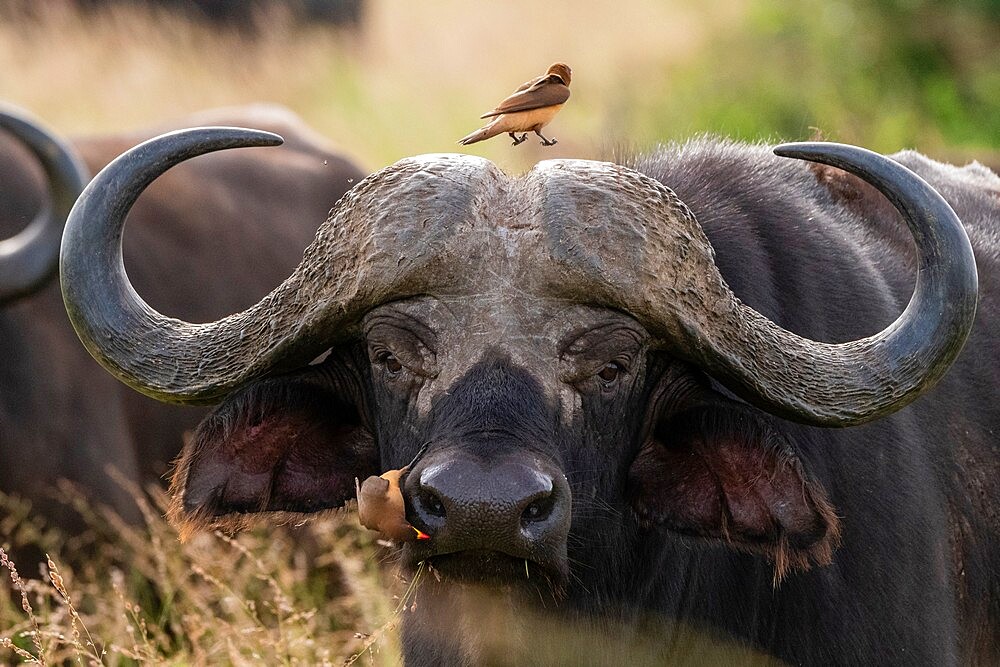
column 312, row 595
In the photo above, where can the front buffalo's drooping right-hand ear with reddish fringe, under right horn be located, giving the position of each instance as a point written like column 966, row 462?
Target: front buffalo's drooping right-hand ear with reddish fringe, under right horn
column 723, row 471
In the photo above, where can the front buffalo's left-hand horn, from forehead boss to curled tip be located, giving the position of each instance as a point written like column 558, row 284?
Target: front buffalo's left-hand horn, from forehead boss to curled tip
column 358, row 259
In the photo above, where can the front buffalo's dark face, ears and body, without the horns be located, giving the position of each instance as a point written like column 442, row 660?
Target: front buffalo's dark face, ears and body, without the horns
column 671, row 509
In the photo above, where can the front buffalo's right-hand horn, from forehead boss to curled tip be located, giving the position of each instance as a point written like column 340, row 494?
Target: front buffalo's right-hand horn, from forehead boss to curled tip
column 664, row 274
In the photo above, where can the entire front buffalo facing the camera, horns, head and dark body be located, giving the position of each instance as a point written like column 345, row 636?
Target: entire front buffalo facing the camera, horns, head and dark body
column 592, row 426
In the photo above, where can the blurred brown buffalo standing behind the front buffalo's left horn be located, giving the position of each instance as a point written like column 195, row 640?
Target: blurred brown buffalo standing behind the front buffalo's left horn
column 59, row 415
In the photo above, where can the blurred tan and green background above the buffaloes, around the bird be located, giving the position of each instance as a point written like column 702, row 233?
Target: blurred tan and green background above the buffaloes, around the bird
column 389, row 79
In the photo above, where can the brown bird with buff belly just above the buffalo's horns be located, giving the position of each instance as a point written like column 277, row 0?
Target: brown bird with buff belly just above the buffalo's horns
column 529, row 108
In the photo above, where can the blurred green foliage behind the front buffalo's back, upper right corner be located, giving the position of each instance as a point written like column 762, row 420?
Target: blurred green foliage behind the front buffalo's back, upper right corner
column 888, row 75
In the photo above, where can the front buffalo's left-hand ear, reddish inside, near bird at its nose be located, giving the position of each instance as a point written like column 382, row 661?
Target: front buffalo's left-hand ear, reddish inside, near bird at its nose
column 281, row 449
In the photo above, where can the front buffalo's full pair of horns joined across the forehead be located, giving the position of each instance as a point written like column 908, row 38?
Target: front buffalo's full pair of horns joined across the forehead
column 588, row 232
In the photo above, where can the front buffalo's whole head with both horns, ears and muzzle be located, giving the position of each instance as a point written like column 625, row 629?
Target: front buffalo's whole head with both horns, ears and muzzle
column 546, row 344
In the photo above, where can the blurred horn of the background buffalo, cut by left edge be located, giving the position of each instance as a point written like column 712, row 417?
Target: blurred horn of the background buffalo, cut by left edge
column 30, row 258
